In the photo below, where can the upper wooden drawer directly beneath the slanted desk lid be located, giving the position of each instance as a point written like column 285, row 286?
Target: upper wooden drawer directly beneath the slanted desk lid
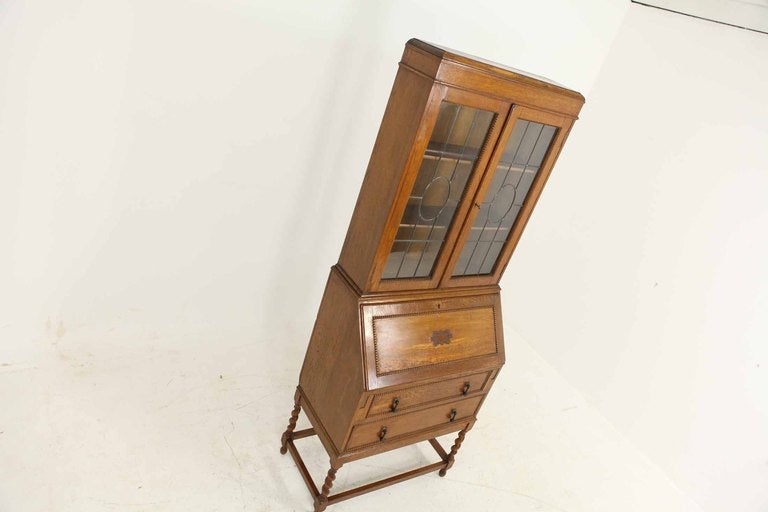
column 421, row 394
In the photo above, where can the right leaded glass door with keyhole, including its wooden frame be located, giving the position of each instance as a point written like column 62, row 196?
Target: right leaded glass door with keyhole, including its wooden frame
column 518, row 170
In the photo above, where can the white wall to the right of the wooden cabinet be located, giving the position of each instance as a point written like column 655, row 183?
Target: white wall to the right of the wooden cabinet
column 643, row 276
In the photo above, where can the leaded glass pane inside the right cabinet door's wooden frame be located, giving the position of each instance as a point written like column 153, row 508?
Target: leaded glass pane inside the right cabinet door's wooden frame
column 519, row 164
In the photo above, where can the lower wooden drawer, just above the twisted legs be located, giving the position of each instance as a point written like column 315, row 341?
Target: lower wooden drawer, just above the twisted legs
column 402, row 424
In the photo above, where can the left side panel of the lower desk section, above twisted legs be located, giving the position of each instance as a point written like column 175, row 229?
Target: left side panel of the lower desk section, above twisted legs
column 332, row 375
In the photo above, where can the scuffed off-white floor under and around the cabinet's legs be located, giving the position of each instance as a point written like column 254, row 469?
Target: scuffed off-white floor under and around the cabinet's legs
column 92, row 421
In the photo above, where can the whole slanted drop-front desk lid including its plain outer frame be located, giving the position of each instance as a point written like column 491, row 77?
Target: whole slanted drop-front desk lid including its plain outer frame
column 413, row 336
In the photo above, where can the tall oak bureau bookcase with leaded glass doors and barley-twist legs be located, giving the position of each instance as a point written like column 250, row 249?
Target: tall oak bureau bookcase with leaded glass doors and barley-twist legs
column 409, row 338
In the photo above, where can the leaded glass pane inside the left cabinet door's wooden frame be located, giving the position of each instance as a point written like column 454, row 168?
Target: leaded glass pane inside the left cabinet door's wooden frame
column 446, row 167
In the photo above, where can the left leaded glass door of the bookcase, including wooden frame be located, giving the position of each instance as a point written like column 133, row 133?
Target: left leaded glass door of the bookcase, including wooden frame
column 442, row 183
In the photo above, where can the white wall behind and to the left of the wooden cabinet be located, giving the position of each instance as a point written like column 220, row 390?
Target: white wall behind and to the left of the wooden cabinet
column 183, row 168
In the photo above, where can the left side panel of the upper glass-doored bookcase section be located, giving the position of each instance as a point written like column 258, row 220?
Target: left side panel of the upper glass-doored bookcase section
column 400, row 129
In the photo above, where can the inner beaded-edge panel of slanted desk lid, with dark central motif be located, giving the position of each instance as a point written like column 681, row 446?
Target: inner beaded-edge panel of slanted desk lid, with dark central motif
column 409, row 341
